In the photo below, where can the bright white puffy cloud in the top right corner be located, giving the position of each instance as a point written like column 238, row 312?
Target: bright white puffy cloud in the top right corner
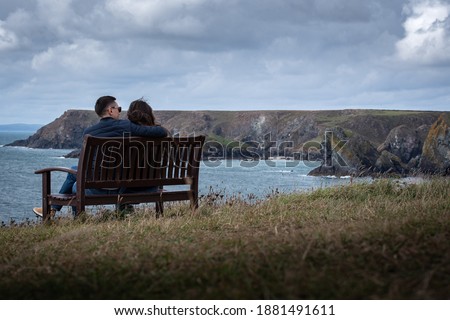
column 427, row 37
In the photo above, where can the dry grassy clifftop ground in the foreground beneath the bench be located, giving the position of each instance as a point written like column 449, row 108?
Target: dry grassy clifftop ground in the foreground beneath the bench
column 383, row 240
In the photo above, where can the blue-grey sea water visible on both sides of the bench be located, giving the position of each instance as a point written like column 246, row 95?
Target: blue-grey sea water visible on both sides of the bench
column 20, row 187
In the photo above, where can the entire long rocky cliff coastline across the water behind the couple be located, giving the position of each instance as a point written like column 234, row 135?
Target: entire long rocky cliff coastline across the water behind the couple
column 352, row 142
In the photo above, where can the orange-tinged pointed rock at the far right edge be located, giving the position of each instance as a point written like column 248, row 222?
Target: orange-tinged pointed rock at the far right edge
column 435, row 157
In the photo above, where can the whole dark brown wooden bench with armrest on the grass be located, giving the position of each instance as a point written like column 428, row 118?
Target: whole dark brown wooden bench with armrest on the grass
column 130, row 162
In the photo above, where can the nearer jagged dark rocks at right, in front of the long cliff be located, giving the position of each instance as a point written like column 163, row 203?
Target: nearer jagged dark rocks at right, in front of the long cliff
column 406, row 150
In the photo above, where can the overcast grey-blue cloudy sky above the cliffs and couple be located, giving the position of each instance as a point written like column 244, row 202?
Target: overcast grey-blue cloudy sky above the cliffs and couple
column 223, row 55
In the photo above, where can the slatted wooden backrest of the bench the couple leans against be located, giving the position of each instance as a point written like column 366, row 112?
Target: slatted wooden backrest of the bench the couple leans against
column 139, row 161
